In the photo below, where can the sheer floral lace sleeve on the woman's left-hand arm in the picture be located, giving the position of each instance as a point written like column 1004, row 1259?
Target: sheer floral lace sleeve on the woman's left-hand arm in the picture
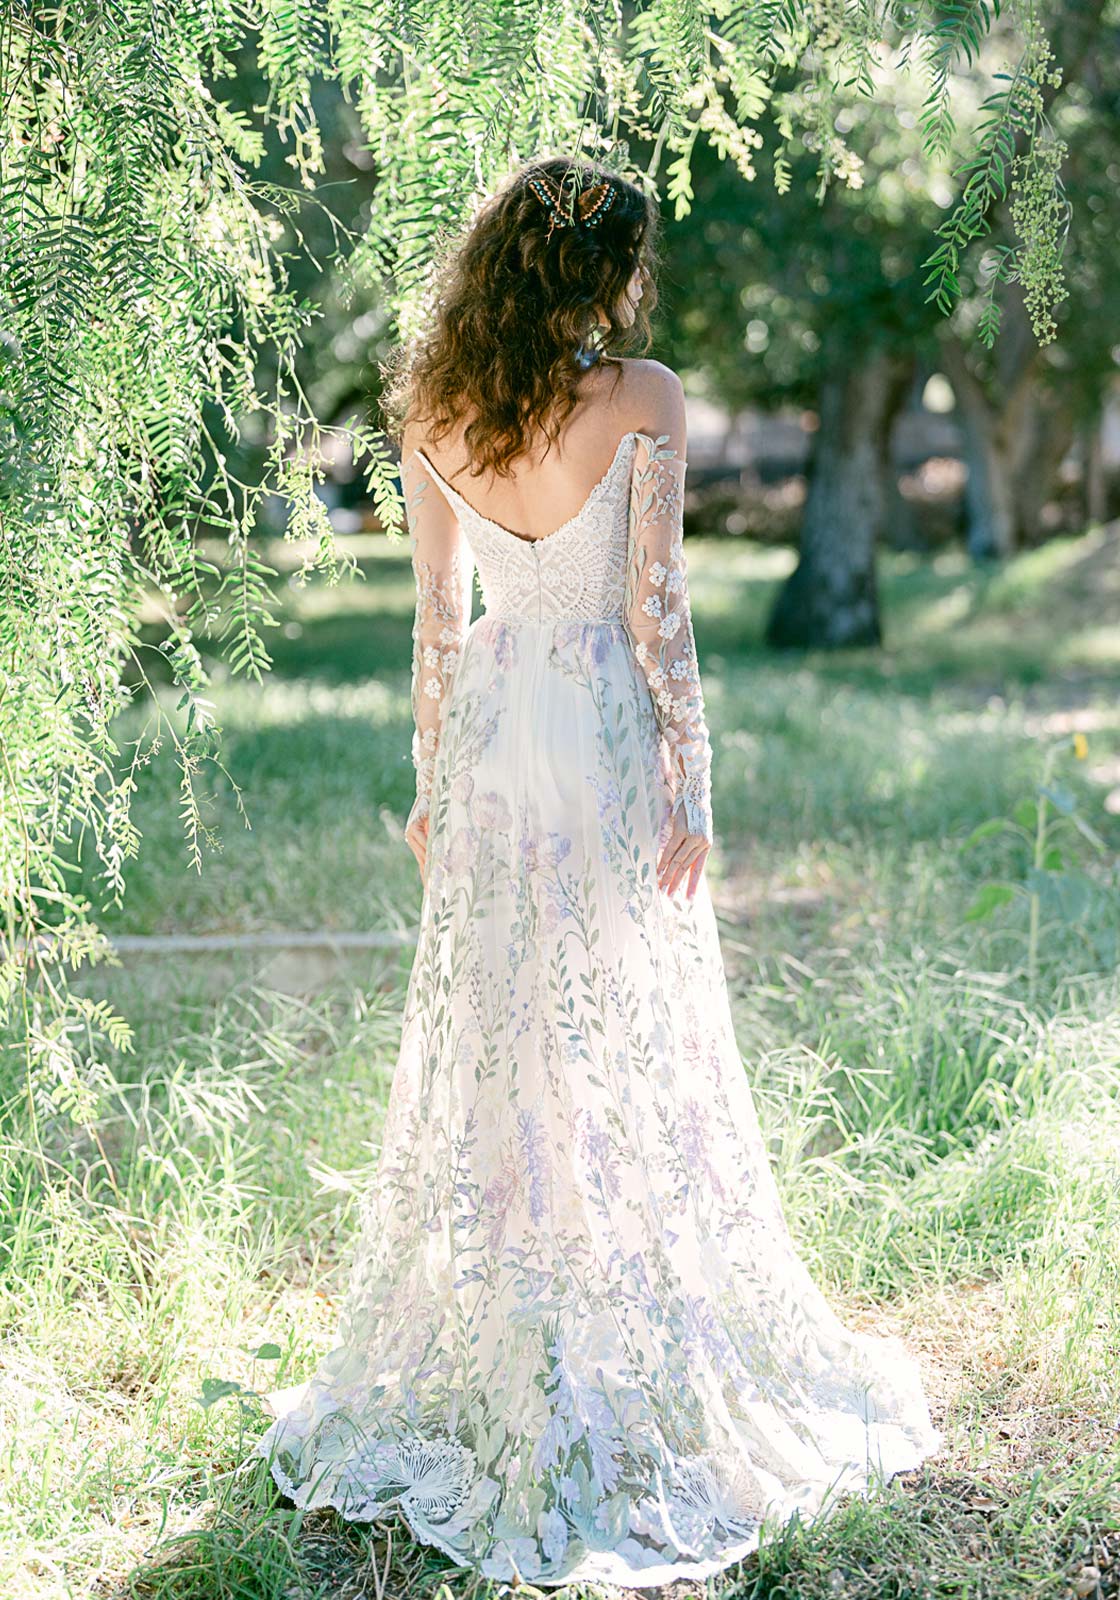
column 444, row 572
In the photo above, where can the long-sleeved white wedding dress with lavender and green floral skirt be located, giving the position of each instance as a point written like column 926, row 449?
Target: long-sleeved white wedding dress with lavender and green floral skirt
column 578, row 1342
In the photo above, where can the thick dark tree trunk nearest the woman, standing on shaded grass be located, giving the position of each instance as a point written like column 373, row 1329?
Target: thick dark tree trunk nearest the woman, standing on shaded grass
column 833, row 598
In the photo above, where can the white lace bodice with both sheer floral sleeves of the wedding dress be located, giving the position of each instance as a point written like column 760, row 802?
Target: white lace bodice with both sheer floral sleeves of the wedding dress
column 620, row 559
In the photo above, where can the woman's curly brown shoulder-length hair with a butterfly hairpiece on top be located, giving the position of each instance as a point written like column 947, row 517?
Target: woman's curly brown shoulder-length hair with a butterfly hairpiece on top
column 516, row 306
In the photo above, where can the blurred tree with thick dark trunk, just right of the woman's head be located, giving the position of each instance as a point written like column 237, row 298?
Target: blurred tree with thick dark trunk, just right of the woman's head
column 828, row 310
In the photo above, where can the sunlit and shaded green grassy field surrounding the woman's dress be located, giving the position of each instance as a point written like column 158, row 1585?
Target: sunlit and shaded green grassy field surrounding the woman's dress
column 942, row 1094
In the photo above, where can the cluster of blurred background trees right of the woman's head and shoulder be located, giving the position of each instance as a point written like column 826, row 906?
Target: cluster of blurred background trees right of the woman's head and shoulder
column 822, row 313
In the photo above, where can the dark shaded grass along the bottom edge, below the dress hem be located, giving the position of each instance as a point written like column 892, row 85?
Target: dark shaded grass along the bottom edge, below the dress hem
column 1047, row 1529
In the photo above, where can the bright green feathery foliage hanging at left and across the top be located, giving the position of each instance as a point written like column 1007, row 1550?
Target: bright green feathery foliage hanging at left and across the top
column 145, row 286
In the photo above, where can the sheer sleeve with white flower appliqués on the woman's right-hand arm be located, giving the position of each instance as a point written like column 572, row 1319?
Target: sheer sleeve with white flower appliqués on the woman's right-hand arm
column 660, row 625
